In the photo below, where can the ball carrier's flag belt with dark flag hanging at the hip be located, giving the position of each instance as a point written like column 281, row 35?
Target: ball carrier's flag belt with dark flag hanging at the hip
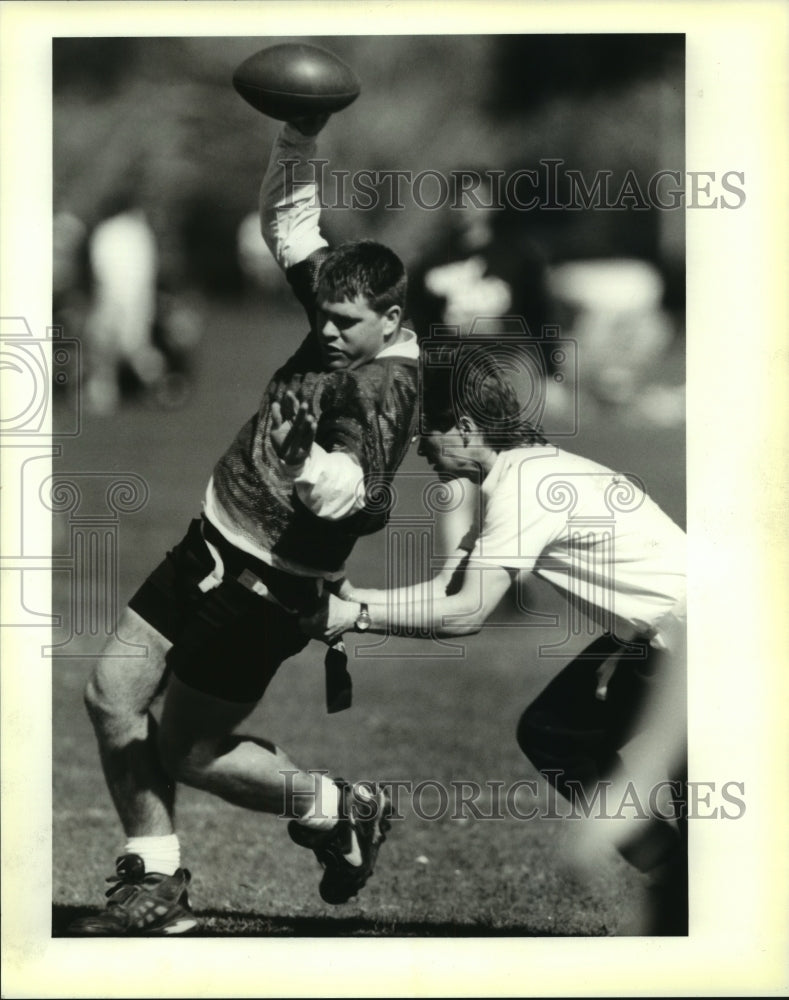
column 292, row 594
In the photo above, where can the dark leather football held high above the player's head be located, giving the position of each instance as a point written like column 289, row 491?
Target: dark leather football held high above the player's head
column 292, row 80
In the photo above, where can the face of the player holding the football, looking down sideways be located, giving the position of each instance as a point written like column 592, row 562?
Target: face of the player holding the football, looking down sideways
column 352, row 333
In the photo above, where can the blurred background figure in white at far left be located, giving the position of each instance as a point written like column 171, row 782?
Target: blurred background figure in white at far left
column 119, row 325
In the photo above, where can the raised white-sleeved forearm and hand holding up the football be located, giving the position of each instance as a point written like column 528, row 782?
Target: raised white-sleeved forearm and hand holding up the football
column 289, row 194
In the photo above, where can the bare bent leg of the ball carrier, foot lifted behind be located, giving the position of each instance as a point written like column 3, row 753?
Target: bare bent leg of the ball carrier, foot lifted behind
column 200, row 749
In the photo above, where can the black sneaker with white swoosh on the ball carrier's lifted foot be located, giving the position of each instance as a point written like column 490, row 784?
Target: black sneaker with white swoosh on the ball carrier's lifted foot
column 348, row 851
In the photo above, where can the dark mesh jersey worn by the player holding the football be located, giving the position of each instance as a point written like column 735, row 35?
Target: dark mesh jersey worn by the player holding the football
column 369, row 412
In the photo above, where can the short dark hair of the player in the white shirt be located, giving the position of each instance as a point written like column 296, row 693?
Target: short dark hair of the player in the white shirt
column 479, row 389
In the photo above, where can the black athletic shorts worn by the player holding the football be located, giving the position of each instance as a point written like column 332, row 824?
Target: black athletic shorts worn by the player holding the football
column 228, row 641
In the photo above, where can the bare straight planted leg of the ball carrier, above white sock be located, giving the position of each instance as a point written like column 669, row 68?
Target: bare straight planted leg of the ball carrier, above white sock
column 118, row 697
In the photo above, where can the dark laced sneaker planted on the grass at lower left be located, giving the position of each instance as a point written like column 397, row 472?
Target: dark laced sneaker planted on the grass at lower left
column 141, row 903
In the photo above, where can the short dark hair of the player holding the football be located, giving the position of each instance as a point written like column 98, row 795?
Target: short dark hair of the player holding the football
column 365, row 268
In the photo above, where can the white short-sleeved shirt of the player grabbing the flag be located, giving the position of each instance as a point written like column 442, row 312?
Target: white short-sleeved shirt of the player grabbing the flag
column 589, row 531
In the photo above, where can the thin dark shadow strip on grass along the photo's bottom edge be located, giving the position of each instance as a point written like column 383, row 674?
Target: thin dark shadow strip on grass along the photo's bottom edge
column 220, row 923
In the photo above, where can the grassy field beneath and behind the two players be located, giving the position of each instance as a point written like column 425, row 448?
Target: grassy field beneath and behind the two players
column 416, row 716
